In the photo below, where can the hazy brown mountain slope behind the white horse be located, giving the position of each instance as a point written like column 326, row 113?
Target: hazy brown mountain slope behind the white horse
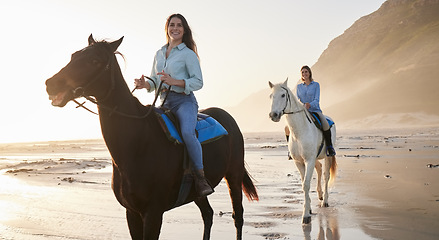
column 382, row 71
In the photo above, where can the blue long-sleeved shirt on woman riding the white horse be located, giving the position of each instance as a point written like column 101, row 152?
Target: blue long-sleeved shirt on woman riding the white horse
column 310, row 94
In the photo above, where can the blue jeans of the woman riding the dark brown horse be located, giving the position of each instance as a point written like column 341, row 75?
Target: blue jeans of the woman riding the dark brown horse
column 185, row 108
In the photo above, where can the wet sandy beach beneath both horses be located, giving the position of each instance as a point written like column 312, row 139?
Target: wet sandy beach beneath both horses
column 387, row 187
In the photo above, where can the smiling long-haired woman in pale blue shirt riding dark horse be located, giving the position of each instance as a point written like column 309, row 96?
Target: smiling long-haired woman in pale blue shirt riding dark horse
column 179, row 58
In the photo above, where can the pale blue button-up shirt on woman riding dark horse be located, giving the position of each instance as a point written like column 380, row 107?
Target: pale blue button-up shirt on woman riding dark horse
column 182, row 64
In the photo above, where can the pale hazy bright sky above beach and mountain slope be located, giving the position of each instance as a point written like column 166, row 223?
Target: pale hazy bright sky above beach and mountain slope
column 242, row 45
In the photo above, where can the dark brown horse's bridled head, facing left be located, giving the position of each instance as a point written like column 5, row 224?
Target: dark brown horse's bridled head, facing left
column 82, row 75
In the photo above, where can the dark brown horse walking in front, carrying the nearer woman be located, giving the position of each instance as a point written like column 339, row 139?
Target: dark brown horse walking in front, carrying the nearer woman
column 147, row 167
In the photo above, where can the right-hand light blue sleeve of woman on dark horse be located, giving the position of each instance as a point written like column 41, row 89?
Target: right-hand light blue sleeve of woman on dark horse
column 194, row 81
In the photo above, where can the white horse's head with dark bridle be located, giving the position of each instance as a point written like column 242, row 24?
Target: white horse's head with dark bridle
column 279, row 99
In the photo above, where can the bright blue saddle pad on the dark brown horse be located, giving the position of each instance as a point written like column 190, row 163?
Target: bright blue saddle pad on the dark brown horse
column 208, row 129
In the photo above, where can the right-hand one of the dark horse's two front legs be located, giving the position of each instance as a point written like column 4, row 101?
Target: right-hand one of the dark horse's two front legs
column 152, row 223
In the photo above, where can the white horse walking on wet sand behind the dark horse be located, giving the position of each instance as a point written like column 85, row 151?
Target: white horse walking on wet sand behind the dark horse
column 306, row 144
